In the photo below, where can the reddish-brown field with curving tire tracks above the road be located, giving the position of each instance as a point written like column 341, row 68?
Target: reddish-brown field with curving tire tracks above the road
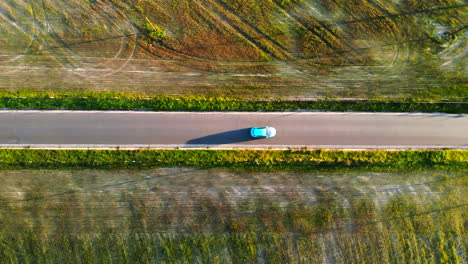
column 358, row 48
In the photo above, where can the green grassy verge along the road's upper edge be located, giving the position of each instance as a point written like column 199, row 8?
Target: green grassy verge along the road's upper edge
column 122, row 101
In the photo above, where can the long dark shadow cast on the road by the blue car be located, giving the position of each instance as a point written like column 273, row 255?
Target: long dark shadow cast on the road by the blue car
column 228, row 137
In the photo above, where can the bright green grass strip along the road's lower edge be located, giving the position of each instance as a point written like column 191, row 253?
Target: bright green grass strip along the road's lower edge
column 242, row 159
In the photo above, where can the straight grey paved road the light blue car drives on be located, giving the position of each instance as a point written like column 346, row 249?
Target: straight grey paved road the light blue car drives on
column 166, row 129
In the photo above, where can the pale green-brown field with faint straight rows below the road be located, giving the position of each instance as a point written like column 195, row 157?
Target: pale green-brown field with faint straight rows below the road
column 334, row 216
